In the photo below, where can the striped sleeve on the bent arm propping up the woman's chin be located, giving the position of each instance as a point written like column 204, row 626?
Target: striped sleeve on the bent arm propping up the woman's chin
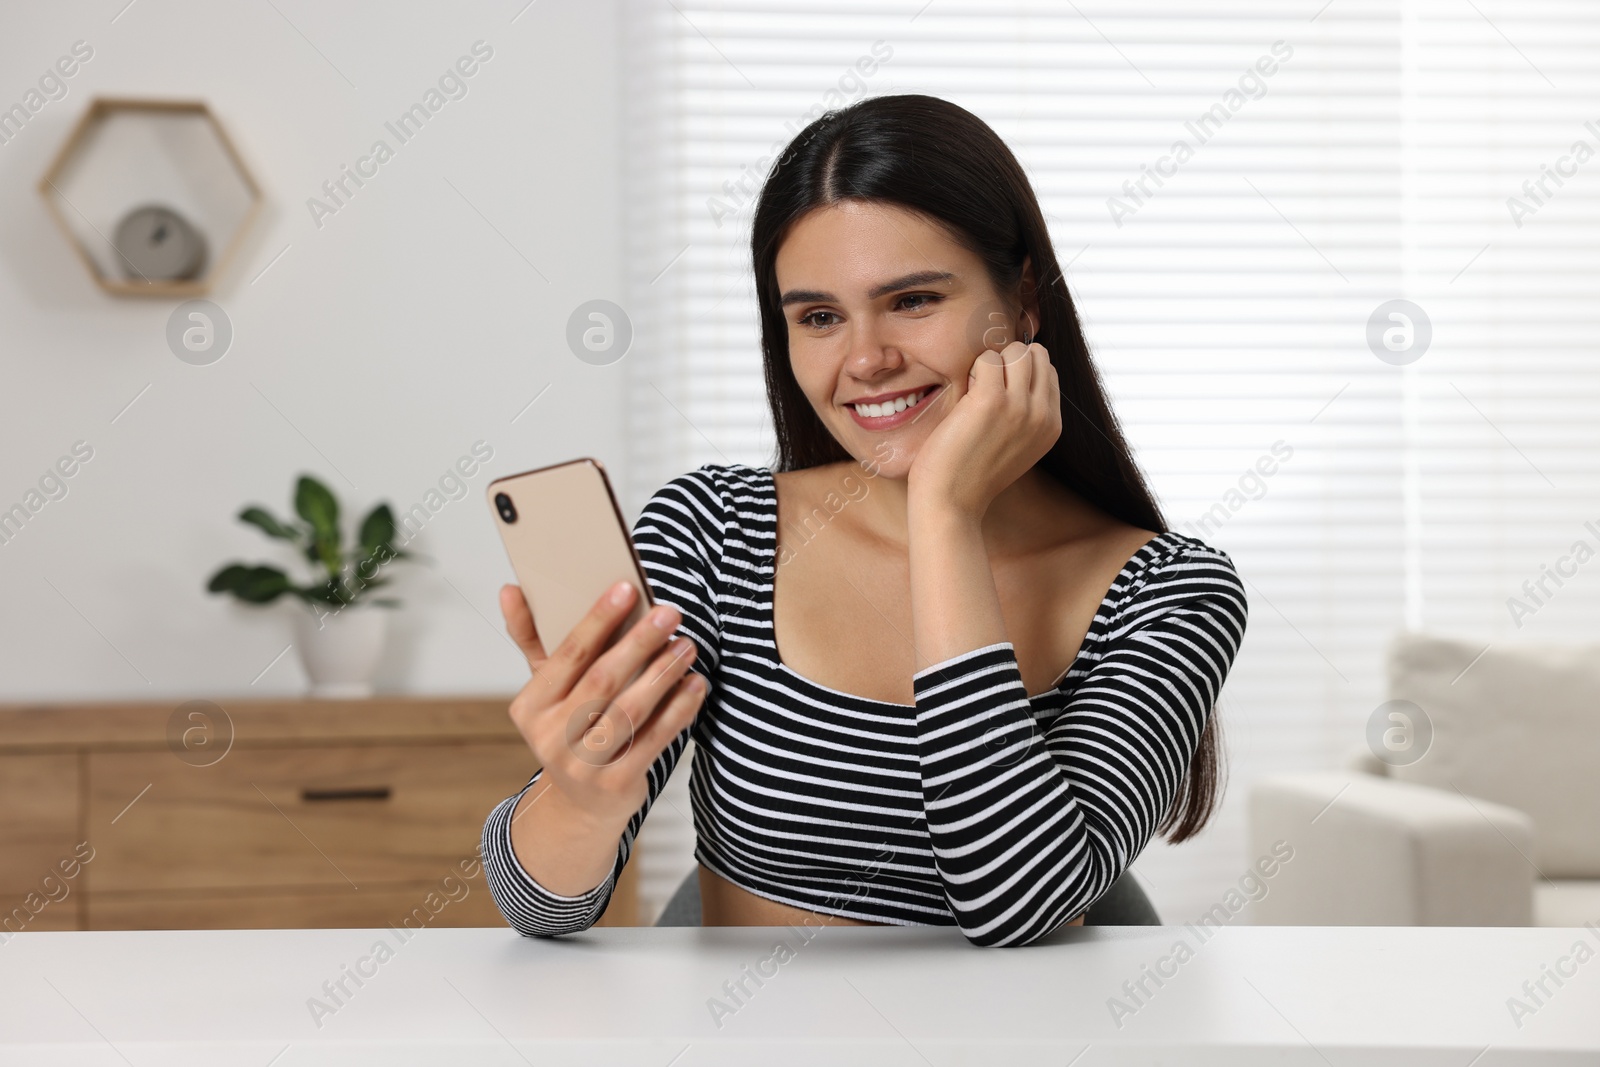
column 1031, row 826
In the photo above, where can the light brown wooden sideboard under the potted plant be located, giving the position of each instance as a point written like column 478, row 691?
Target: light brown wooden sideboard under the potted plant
column 239, row 815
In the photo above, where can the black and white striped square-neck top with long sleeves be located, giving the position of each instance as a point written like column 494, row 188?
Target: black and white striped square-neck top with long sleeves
column 978, row 807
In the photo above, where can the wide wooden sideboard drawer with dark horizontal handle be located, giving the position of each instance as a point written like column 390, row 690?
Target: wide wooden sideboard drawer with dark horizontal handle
column 330, row 817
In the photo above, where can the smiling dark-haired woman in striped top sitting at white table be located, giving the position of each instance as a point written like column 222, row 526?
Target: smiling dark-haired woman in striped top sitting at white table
column 945, row 665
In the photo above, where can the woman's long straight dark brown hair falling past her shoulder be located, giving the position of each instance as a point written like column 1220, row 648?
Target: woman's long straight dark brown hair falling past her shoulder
column 946, row 164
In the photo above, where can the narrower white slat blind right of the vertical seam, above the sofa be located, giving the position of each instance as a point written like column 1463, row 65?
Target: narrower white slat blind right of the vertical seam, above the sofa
column 1510, row 273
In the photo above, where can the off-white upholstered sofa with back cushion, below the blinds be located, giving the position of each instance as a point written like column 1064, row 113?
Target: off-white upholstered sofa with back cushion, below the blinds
column 1498, row 825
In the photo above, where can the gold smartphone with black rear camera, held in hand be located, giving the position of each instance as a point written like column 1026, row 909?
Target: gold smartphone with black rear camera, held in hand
column 569, row 545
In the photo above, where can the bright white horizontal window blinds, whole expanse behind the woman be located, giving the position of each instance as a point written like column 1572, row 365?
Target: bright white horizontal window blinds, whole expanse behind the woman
column 1241, row 196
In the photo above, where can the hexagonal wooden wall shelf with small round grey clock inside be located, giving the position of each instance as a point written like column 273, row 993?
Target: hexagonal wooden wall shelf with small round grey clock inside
column 153, row 196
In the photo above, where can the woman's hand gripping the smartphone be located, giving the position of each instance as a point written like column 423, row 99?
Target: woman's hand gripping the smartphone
column 593, row 732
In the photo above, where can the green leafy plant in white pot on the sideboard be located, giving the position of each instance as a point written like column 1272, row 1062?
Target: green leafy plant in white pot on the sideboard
column 338, row 649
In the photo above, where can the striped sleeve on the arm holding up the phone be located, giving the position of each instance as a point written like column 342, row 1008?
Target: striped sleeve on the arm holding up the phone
column 676, row 537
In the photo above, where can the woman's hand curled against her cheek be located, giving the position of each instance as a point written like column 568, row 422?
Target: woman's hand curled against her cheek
column 1007, row 422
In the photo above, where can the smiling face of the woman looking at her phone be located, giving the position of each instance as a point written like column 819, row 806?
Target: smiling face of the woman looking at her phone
column 884, row 306
